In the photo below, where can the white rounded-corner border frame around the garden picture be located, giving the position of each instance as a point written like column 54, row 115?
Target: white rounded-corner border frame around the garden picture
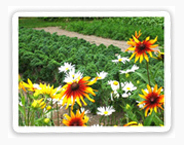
column 167, row 71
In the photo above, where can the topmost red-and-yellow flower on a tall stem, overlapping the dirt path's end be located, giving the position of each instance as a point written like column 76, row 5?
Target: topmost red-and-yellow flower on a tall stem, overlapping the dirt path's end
column 141, row 48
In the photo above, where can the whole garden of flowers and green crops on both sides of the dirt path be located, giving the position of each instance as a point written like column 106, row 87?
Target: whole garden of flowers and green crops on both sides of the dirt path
column 60, row 72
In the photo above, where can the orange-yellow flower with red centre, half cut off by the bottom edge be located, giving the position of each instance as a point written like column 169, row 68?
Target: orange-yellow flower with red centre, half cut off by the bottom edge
column 75, row 120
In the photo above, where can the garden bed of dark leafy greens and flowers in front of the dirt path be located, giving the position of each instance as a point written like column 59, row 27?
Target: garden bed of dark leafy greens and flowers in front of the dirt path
column 115, row 81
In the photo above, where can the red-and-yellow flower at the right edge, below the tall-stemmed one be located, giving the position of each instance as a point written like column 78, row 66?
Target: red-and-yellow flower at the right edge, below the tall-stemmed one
column 153, row 99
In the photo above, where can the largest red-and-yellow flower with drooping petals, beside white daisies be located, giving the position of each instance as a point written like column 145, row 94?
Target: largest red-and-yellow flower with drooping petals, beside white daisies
column 76, row 90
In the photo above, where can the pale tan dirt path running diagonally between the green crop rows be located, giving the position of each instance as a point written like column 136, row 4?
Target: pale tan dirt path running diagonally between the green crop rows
column 91, row 38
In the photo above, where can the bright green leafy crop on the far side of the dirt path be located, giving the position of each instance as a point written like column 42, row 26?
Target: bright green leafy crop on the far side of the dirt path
column 119, row 28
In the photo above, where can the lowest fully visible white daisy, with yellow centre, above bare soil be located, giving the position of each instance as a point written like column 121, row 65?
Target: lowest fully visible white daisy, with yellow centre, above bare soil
column 106, row 111
